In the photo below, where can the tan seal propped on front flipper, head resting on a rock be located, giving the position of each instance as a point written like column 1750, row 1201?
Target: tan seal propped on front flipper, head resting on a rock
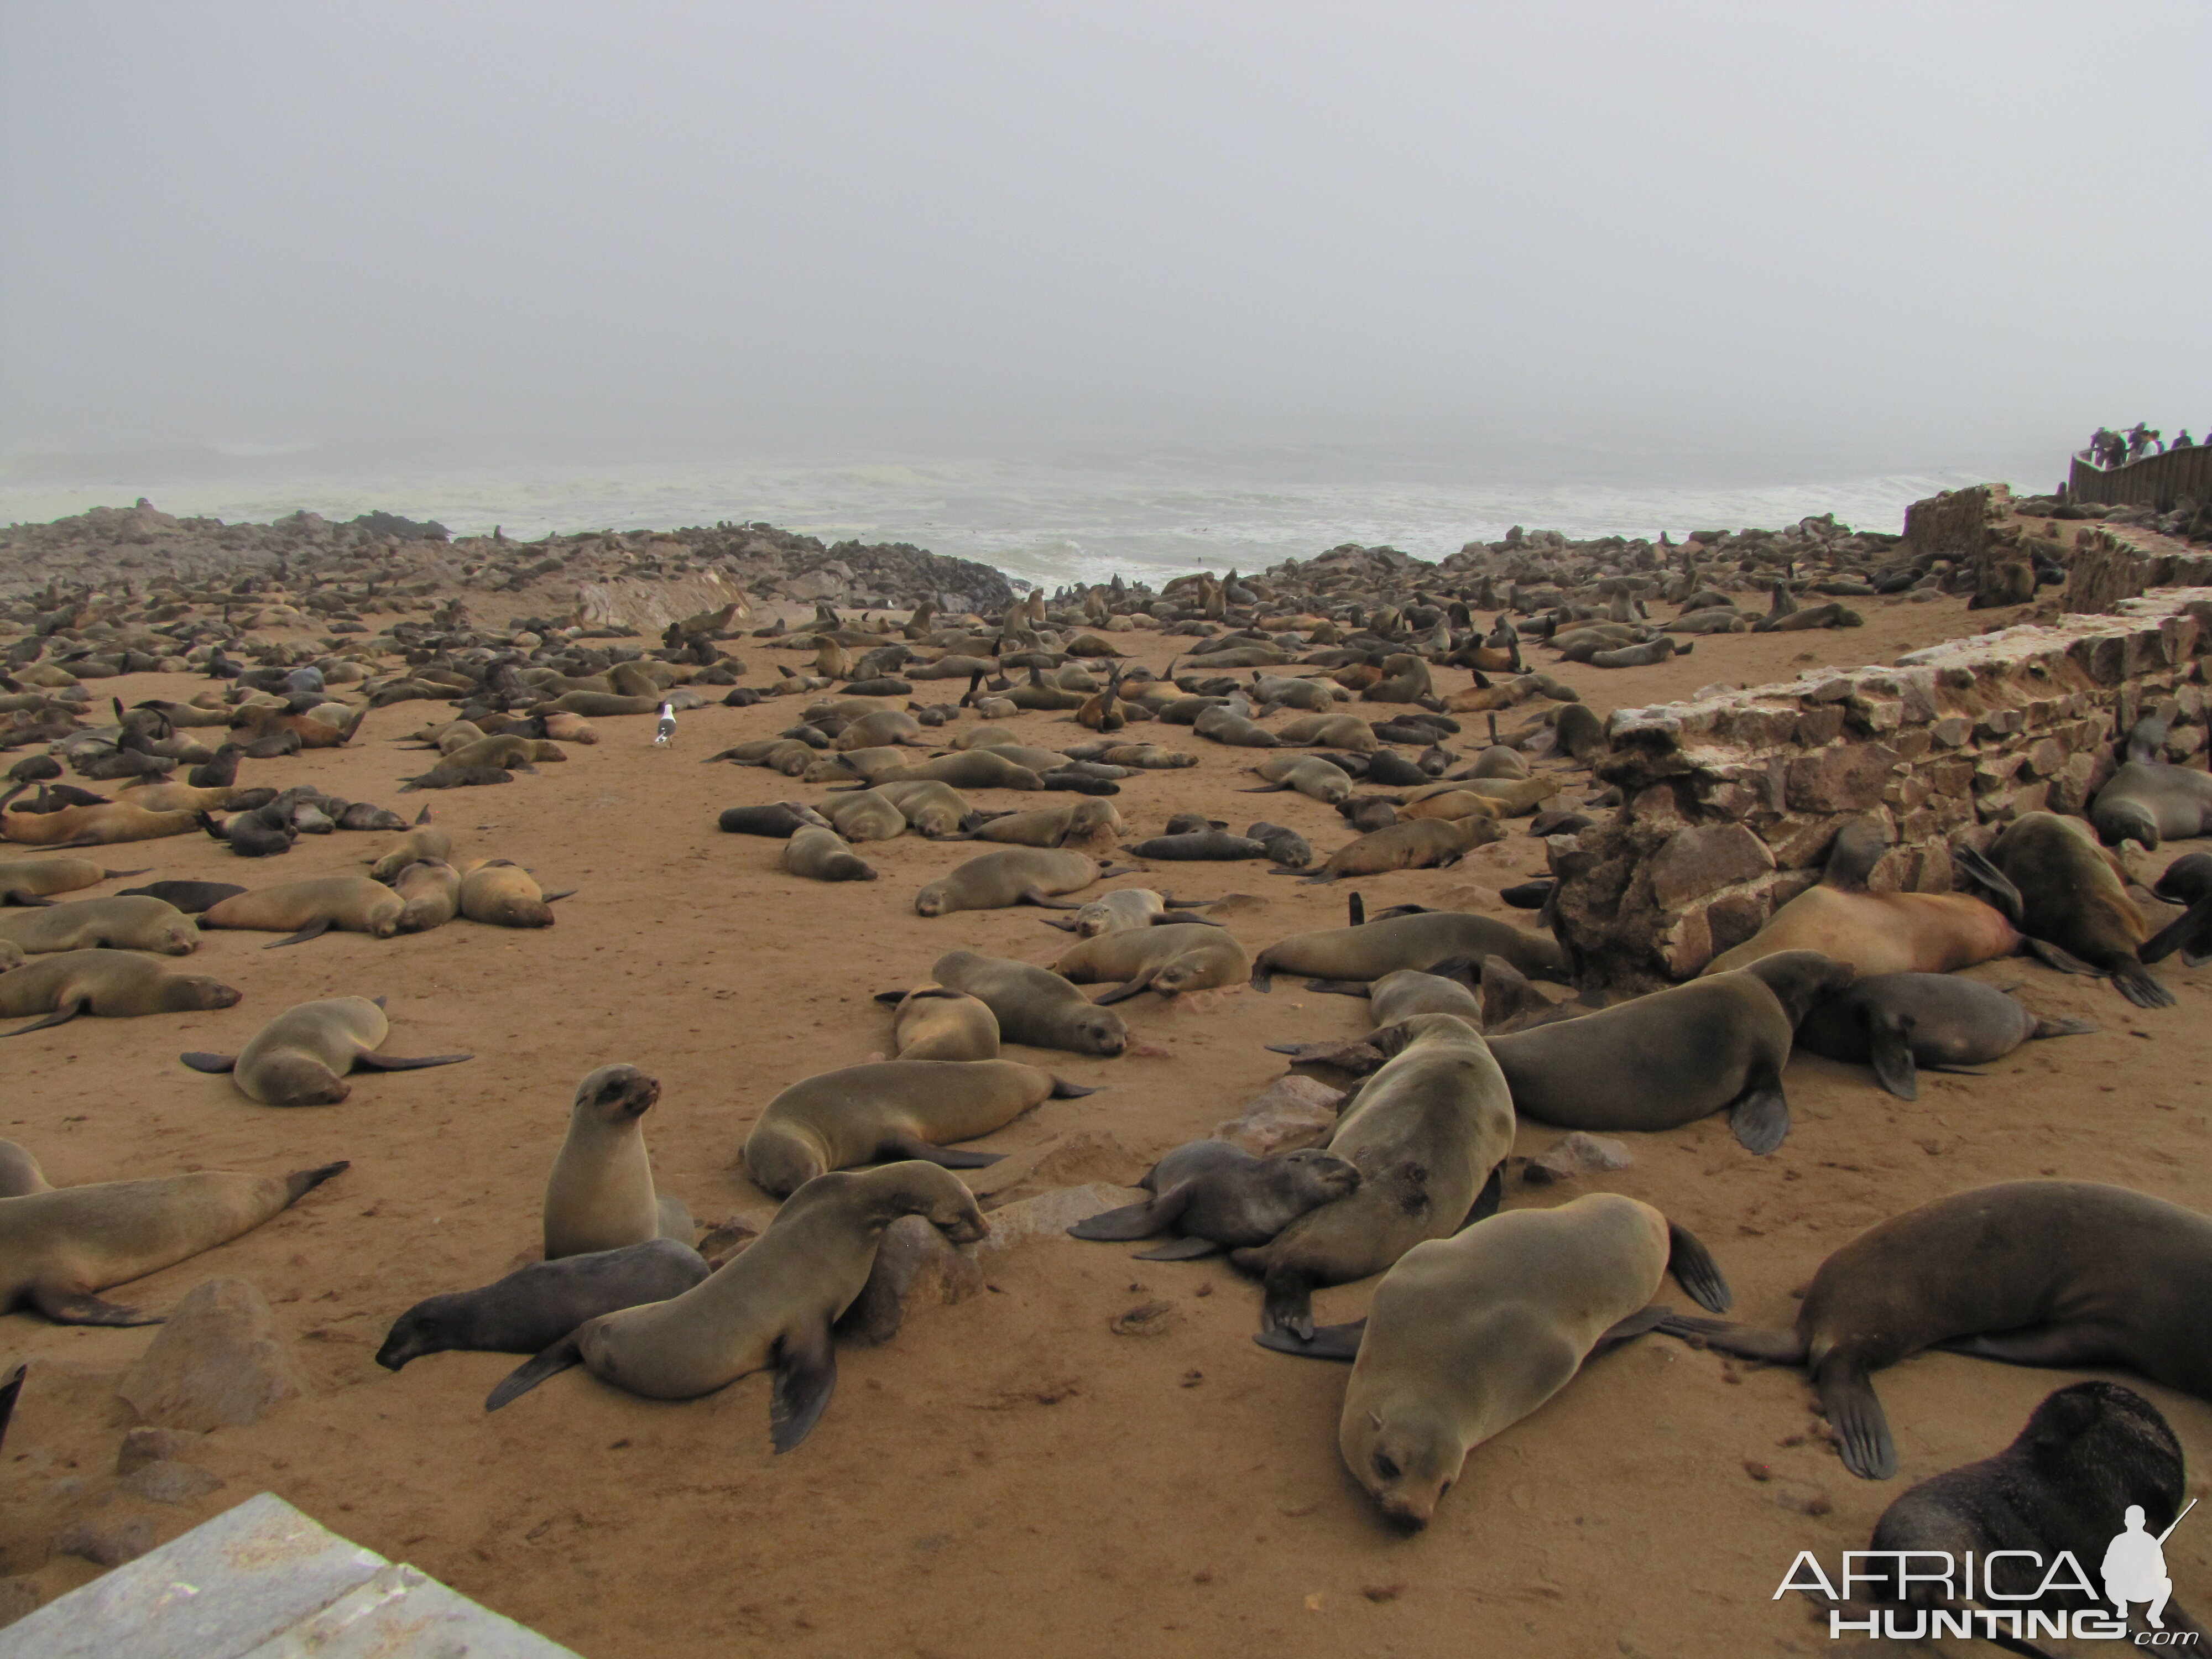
column 766, row 1308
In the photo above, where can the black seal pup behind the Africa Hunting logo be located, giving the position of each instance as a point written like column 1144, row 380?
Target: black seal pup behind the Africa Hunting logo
column 2067, row 1483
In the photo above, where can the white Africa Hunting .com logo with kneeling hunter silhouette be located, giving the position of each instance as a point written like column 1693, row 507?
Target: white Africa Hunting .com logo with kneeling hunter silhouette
column 1923, row 1596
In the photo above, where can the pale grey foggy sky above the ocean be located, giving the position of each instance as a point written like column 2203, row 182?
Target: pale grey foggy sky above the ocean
column 632, row 229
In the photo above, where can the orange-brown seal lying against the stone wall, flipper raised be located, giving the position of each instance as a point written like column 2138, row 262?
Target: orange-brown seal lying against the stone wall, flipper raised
column 1877, row 932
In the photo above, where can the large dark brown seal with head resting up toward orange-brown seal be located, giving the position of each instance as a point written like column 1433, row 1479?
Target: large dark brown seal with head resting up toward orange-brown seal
column 1676, row 1056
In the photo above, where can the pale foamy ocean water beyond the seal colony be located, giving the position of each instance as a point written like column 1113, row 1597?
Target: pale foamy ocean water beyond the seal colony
column 1045, row 519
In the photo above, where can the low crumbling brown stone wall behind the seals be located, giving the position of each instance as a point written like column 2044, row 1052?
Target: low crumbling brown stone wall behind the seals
column 1731, row 802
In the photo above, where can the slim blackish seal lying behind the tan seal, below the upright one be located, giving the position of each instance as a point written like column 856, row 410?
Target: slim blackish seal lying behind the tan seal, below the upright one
column 536, row 1306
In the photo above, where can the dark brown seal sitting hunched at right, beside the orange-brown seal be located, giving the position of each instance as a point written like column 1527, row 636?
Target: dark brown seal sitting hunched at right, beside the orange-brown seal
column 2072, row 899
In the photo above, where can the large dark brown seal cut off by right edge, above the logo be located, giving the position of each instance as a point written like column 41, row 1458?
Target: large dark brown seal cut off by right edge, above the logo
column 2030, row 1273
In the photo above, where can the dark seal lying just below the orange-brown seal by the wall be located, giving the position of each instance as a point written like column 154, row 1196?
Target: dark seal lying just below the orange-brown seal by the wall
column 1899, row 1023
